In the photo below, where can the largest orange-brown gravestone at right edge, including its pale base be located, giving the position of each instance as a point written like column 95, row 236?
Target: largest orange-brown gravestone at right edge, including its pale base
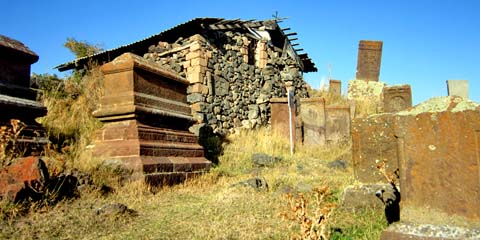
column 439, row 155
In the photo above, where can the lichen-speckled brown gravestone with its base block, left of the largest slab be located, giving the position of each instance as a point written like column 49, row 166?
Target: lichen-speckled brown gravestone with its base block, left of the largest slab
column 374, row 142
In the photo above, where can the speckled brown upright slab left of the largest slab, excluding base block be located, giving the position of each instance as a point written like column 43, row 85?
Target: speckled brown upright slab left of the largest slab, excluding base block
column 373, row 141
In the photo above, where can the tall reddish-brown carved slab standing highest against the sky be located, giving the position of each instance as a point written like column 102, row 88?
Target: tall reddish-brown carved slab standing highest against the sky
column 369, row 60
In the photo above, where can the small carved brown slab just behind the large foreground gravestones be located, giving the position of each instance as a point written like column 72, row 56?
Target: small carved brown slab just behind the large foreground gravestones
column 397, row 98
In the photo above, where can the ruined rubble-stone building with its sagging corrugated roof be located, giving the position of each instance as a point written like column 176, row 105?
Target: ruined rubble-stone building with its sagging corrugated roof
column 233, row 67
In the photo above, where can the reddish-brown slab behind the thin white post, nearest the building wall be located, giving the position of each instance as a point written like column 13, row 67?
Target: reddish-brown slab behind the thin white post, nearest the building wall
column 280, row 120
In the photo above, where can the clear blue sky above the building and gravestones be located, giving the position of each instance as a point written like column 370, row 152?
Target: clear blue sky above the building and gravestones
column 425, row 42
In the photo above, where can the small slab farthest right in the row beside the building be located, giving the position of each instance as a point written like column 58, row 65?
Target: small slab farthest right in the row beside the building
column 337, row 123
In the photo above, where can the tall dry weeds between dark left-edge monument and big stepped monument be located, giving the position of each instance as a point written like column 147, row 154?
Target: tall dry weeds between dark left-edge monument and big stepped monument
column 69, row 122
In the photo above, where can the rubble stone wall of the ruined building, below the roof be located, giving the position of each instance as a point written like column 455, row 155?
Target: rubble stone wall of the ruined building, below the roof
column 232, row 77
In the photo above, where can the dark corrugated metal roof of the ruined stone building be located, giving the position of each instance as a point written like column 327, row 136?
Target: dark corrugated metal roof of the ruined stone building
column 186, row 29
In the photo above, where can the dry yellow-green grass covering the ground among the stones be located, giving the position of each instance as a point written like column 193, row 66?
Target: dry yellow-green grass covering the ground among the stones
column 209, row 207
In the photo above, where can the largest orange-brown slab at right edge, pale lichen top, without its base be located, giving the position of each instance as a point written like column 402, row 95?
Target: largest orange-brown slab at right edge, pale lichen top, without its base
column 439, row 155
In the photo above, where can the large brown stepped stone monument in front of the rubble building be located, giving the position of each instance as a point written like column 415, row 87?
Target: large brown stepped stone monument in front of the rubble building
column 146, row 118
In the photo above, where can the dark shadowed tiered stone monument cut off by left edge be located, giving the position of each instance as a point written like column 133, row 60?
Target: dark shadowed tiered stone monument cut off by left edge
column 17, row 100
